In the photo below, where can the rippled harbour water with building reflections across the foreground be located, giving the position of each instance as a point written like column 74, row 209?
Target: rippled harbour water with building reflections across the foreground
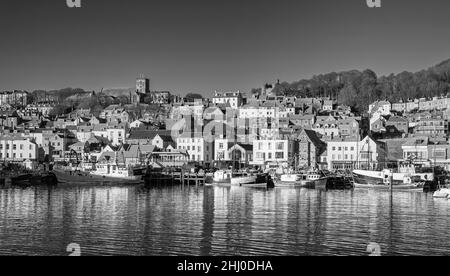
column 220, row 221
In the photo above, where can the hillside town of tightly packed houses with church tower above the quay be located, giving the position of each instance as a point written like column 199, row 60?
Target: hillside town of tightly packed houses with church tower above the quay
column 263, row 130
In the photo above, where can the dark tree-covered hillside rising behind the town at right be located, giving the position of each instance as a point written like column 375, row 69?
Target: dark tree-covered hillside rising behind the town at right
column 358, row 89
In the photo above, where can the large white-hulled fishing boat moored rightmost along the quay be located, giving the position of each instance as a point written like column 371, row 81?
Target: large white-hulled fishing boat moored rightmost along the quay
column 405, row 179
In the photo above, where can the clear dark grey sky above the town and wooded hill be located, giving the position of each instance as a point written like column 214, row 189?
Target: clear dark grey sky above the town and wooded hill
column 200, row 46
